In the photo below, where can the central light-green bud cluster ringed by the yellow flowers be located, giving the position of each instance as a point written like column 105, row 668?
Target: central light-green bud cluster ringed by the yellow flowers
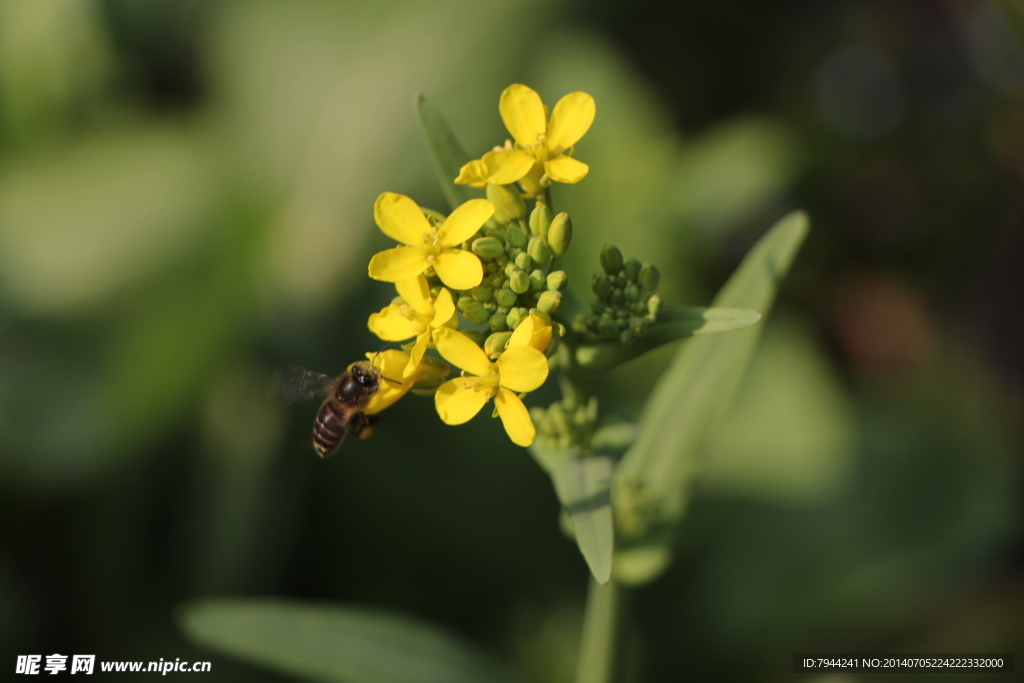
column 522, row 267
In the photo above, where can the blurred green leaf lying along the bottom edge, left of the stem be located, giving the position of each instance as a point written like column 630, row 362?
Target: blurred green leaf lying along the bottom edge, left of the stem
column 337, row 645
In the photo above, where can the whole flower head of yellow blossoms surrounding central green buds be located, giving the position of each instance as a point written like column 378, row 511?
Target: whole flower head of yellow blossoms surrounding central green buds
column 481, row 286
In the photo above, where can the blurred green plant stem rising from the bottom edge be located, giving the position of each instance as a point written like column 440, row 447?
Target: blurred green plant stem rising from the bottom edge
column 600, row 644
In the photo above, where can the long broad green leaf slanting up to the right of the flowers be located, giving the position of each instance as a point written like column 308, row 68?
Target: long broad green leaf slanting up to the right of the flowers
column 694, row 393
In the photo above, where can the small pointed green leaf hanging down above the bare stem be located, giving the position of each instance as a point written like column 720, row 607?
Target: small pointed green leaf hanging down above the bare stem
column 584, row 488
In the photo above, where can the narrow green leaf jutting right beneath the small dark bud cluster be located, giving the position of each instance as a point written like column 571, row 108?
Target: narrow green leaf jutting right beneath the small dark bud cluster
column 673, row 323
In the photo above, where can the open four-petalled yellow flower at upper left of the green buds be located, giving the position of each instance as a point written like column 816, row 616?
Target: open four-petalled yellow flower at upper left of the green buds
column 426, row 246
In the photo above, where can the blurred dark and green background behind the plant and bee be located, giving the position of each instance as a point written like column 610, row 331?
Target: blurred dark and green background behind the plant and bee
column 186, row 205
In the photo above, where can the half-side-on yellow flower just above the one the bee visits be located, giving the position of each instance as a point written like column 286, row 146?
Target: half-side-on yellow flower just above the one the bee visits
column 418, row 317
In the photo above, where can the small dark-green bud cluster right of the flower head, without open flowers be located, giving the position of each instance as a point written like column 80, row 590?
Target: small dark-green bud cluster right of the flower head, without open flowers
column 626, row 304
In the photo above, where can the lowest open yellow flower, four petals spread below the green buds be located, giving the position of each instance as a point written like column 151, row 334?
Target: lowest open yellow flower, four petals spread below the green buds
column 522, row 368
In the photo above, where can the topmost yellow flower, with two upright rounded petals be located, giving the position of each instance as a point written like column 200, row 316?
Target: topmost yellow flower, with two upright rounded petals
column 543, row 146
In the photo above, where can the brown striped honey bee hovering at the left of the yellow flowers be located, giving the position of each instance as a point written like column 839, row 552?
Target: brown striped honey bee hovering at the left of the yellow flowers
column 345, row 409
